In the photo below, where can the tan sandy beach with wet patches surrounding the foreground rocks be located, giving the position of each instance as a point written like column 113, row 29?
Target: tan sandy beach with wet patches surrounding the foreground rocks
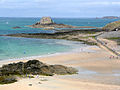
column 96, row 72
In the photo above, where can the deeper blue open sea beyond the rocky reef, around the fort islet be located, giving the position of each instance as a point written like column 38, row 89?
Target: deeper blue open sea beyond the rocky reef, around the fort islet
column 6, row 24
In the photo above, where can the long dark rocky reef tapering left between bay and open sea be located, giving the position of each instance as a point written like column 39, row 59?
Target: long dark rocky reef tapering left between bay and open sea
column 86, row 36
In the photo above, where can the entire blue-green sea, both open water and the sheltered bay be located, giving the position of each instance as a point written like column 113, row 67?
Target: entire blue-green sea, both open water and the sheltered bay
column 17, row 48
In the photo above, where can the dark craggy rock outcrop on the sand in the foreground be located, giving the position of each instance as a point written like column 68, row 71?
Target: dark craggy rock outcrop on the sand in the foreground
column 31, row 67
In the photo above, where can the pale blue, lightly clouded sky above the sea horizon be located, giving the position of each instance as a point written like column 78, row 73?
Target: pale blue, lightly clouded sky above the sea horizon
column 59, row 8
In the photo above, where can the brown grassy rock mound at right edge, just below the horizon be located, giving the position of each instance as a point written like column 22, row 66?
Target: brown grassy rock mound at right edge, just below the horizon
column 114, row 26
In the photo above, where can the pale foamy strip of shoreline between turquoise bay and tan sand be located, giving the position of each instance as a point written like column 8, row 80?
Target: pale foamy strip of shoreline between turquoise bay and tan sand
column 74, row 50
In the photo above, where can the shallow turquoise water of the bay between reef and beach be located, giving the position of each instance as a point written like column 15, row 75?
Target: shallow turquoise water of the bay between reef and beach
column 13, row 48
